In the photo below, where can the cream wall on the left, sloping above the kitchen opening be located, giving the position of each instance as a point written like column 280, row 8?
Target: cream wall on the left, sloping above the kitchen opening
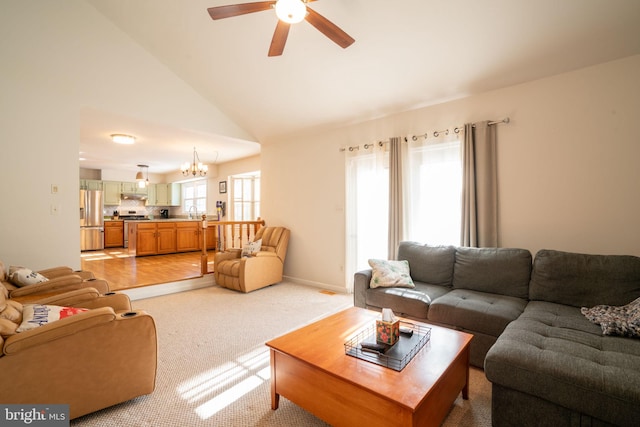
column 57, row 58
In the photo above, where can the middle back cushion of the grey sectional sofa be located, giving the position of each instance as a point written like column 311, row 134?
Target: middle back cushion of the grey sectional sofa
column 503, row 271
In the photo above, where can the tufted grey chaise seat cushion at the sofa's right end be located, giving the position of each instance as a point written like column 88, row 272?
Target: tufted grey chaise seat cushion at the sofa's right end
column 553, row 352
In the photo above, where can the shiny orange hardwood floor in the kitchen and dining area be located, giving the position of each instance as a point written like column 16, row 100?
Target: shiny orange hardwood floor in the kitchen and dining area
column 124, row 272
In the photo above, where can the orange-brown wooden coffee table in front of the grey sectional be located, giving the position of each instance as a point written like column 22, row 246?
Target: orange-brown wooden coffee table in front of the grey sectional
column 310, row 368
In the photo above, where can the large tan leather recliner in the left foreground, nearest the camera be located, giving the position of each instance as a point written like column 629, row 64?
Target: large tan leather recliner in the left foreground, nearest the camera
column 89, row 361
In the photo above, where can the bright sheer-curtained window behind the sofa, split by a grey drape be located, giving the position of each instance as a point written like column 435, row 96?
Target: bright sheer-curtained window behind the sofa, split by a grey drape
column 432, row 185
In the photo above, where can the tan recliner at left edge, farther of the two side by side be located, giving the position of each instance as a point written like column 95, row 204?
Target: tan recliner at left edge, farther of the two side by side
column 60, row 280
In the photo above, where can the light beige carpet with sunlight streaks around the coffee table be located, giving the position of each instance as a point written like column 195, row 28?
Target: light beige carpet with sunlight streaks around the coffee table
column 213, row 367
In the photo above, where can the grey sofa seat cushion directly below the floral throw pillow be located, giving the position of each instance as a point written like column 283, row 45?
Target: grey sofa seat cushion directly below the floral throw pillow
column 405, row 302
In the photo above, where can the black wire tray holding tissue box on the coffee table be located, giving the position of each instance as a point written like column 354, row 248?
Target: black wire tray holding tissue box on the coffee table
column 395, row 357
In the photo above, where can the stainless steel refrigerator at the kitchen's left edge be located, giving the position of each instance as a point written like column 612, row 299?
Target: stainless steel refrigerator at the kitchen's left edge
column 91, row 220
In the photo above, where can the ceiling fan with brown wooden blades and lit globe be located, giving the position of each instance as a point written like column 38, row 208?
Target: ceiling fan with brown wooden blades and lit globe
column 288, row 12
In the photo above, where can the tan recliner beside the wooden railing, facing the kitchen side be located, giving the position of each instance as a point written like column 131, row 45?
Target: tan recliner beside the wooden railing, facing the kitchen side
column 263, row 268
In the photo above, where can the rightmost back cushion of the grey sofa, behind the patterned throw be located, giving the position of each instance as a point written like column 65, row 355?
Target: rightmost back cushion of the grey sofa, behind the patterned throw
column 582, row 280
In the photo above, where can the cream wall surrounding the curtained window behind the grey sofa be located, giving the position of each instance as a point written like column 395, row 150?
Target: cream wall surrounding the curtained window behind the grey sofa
column 568, row 172
